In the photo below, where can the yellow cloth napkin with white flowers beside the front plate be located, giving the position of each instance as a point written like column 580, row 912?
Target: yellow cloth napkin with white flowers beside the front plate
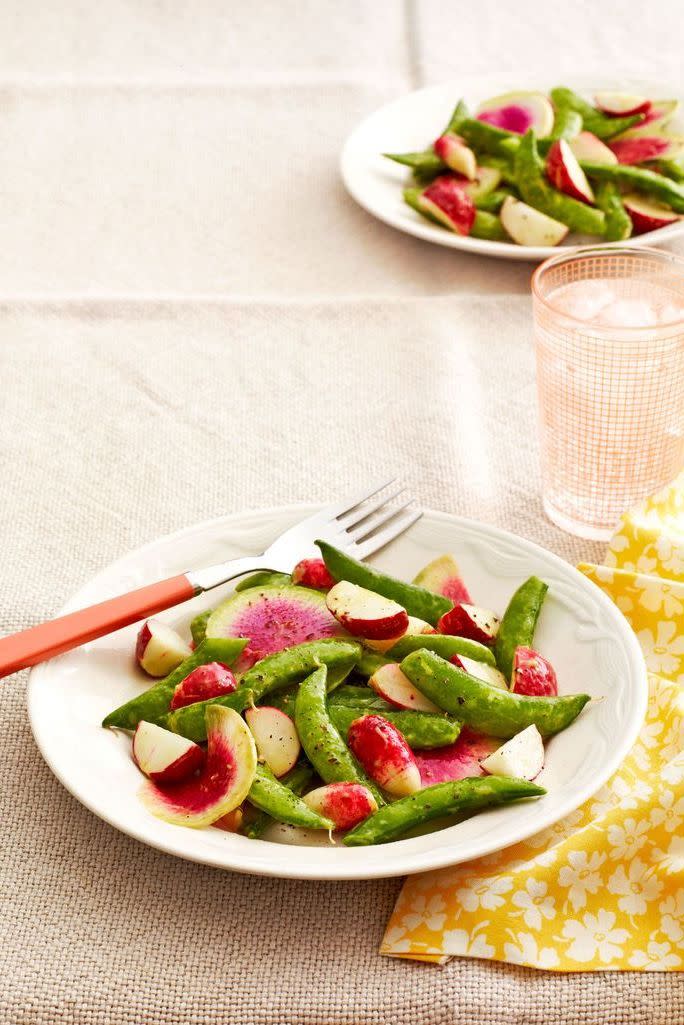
column 605, row 888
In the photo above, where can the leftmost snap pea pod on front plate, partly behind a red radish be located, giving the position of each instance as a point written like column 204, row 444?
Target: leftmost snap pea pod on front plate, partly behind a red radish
column 153, row 704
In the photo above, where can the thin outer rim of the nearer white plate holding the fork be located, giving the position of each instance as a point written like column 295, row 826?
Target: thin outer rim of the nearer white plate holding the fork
column 419, row 863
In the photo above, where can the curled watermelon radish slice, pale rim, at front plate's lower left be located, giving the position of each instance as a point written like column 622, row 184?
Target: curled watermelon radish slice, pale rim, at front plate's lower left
column 223, row 784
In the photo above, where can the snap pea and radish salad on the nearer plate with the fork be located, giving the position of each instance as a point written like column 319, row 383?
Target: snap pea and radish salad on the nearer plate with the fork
column 341, row 704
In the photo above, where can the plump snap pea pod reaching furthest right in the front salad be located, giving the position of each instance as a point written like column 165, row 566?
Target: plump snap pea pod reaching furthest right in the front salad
column 487, row 709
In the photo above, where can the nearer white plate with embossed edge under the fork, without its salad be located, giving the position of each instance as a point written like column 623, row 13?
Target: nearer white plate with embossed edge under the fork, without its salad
column 581, row 631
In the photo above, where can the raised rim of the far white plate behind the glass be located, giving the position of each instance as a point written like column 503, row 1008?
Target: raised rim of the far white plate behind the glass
column 485, row 248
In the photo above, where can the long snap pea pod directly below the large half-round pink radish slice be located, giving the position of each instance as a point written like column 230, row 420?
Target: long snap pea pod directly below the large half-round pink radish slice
column 271, row 674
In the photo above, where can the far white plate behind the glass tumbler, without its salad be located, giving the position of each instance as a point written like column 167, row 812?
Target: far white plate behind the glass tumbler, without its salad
column 416, row 120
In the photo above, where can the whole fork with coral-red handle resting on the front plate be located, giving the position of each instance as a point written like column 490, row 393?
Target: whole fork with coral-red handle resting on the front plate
column 357, row 525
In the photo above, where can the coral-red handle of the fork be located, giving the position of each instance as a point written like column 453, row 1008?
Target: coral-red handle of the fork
column 58, row 636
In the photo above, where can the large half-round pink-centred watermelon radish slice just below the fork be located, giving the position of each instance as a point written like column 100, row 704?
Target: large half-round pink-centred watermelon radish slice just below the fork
column 273, row 619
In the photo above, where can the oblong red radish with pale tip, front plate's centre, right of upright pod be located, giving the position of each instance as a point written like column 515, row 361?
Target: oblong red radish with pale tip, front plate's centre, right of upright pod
column 385, row 755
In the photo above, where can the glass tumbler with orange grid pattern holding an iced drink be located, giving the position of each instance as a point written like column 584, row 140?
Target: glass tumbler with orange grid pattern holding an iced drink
column 612, row 399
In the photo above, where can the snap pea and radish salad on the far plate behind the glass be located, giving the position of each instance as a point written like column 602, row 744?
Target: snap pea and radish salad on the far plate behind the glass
column 531, row 169
